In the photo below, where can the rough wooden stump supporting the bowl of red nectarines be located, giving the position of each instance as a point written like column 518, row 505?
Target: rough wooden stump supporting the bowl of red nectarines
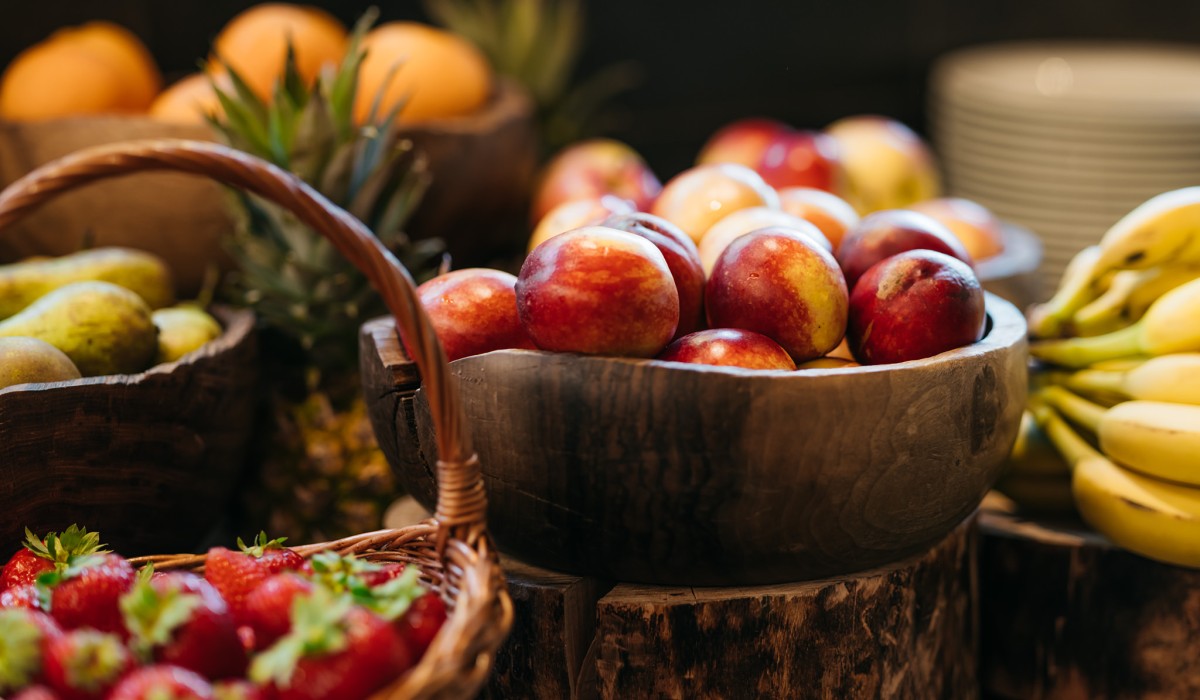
column 909, row 630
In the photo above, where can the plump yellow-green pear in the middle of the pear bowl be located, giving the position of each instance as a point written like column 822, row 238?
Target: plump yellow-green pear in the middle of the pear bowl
column 105, row 330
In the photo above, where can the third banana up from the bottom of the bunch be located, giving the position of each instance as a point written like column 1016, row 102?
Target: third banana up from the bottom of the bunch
column 1175, row 379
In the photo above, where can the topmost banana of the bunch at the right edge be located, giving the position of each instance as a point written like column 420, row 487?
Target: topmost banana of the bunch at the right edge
column 1166, row 229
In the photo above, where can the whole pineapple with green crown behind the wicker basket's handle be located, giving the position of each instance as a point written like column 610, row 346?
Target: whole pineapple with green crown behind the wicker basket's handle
column 323, row 476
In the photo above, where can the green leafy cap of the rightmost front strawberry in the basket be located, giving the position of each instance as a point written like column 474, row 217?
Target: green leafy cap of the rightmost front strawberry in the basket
column 319, row 629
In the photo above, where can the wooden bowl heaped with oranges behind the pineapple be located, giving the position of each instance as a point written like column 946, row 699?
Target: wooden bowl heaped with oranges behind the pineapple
column 98, row 83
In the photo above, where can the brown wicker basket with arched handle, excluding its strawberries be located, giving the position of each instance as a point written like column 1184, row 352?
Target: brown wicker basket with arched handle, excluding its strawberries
column 453, row 549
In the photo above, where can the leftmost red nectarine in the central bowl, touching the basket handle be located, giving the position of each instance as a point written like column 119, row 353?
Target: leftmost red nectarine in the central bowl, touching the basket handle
column 475, row 312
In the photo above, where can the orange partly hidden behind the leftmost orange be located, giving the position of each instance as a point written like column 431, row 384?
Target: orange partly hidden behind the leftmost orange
column 127, row 53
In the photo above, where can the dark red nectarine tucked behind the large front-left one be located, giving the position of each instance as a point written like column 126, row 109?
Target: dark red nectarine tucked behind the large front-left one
column 682, row 259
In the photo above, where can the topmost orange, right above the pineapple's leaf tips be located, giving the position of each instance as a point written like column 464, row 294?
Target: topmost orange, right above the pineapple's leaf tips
column 255, row 44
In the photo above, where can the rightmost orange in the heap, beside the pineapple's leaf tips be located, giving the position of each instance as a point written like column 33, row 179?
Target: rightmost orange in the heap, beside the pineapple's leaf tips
column 440, row 74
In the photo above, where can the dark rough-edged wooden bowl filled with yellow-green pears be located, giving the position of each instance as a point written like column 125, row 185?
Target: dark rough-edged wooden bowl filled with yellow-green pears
column 119, row 408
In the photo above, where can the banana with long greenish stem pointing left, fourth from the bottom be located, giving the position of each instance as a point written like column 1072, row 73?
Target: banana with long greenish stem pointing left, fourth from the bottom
column 1172, row 325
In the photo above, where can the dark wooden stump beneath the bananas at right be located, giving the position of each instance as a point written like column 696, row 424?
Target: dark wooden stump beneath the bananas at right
column 1066, row 614
